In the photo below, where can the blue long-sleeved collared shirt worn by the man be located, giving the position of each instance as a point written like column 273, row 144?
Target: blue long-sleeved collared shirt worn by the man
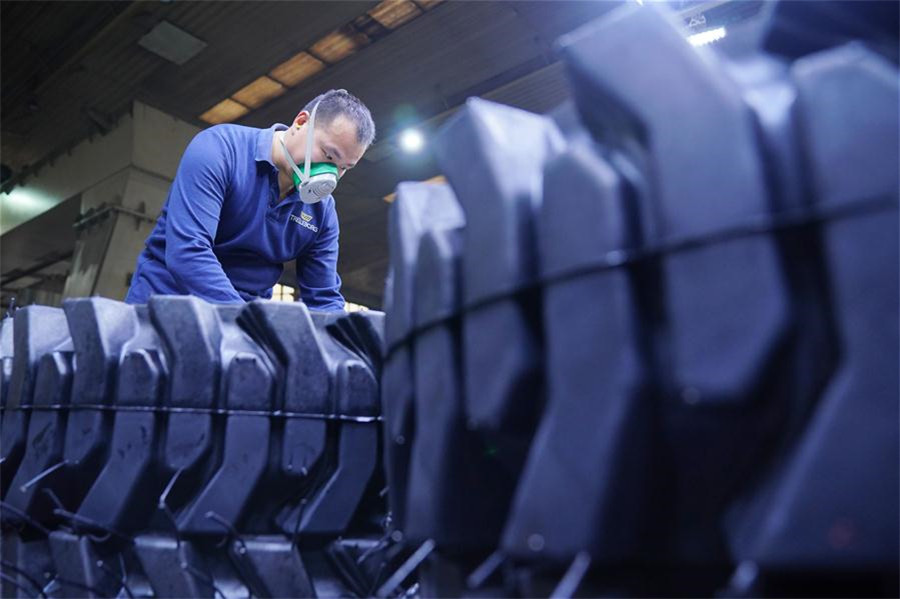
column 223, row 235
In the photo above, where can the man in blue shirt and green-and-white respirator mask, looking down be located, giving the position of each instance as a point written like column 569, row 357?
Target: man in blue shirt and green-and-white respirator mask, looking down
column 240, row 207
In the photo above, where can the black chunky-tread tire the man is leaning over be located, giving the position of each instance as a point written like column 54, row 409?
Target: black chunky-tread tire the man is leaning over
column 182, row 449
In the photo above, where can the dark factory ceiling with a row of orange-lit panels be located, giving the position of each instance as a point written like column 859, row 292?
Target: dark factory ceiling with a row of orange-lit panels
column 70, row 69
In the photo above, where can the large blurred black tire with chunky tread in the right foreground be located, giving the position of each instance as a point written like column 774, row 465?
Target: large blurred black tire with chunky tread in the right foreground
column 649, row 345
